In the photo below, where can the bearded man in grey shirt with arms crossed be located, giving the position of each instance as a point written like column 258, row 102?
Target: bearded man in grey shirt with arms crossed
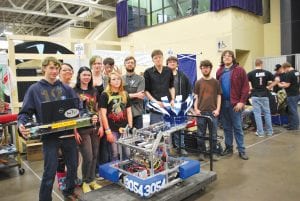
column 135, row 86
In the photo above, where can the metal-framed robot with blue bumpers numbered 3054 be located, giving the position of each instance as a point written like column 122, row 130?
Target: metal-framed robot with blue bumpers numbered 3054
column 149, row 168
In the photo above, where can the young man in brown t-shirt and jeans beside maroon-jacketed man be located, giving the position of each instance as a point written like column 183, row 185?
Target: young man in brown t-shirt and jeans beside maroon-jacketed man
column 207, row 102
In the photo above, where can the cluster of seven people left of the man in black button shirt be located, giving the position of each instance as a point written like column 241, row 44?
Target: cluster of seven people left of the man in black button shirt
column 105, row 100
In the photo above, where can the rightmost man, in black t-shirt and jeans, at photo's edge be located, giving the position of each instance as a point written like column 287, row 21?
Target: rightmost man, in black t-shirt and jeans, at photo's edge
column 291, row 84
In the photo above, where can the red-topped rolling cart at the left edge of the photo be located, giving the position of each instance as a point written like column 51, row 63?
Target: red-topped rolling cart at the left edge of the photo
column 9, row 146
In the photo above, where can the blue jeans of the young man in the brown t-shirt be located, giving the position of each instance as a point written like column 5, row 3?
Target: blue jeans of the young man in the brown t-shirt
column 203, row 125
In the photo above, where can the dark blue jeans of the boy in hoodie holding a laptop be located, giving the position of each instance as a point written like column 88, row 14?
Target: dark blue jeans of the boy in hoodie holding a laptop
column 50, row 151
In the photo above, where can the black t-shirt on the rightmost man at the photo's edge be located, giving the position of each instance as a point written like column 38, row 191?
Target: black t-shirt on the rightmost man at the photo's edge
column 292, row 77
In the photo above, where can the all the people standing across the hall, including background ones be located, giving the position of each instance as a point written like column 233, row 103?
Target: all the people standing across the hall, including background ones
column 114, row 101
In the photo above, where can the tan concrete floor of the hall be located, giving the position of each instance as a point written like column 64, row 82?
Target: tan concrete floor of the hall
column 272, row 173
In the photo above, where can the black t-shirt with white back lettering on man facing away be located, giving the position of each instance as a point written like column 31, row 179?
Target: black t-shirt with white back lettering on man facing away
column 259, row 79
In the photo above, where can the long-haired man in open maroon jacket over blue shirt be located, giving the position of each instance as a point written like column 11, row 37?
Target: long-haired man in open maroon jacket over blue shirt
column 235, row 91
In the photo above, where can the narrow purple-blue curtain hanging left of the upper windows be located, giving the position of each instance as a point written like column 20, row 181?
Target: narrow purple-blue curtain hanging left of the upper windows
column 122, row 18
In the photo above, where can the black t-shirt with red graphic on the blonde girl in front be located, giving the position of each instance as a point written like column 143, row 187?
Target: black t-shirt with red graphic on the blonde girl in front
column 116, row 110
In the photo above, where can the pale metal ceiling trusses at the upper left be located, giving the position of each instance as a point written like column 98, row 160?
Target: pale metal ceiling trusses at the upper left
column 43, row 16
